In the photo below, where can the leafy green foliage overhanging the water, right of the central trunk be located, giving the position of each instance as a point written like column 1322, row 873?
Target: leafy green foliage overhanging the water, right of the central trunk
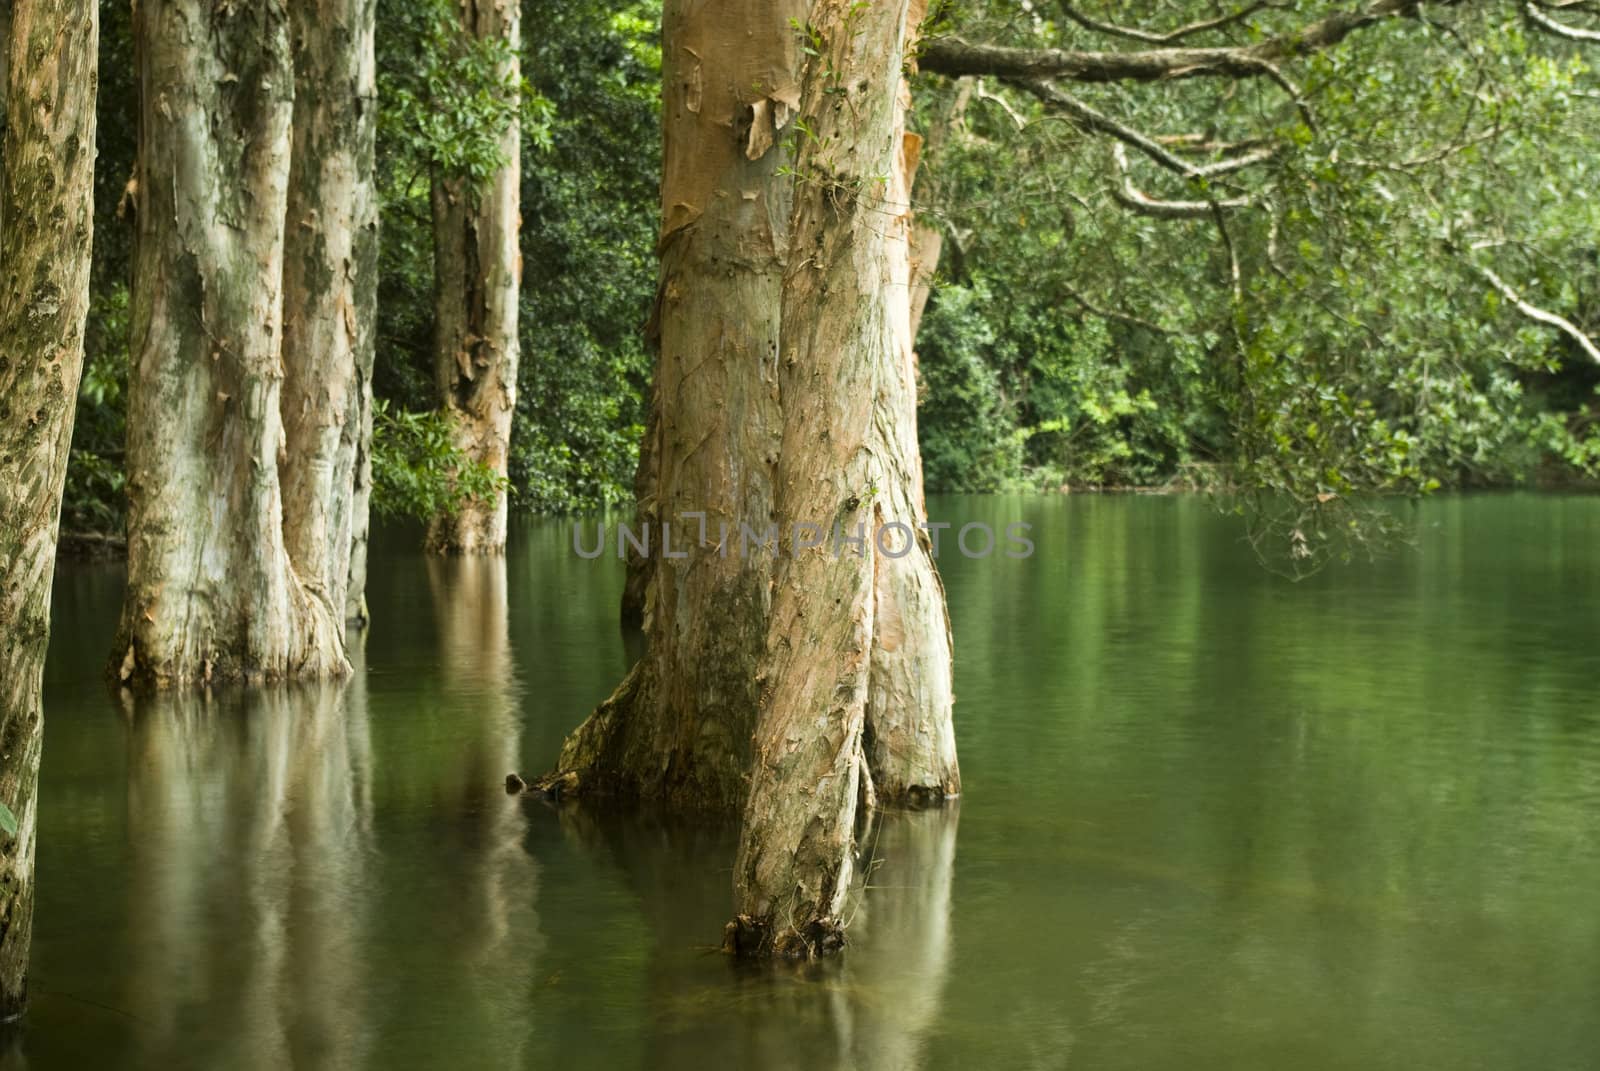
column 1330, row 340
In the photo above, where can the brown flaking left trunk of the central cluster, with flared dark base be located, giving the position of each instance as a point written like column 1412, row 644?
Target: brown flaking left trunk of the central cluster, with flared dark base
column 678, row 729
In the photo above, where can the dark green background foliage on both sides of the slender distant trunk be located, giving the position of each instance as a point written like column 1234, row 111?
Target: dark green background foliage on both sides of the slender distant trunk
column 588, row 243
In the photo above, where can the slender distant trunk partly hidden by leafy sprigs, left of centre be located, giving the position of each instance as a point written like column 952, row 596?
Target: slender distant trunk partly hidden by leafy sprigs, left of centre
column 478, row 279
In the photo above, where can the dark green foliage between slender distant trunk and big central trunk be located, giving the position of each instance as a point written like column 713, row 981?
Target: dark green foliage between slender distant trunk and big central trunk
column 590, row 270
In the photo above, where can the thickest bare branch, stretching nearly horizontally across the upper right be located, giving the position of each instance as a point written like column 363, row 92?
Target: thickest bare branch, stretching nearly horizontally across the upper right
column 956, row 57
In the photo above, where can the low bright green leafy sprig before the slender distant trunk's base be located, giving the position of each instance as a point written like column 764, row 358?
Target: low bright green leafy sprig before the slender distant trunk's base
column 420, row 471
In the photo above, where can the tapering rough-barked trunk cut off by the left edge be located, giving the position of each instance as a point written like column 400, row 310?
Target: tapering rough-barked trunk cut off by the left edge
column 47, row 196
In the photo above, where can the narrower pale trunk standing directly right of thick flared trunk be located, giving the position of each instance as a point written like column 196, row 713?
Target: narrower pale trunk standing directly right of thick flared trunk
column 330, row 291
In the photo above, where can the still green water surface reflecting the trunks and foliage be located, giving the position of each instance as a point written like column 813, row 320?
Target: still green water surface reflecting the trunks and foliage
column 1212, row 820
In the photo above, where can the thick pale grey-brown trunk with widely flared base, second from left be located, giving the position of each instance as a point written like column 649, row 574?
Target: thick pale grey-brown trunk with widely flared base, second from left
column 212, row 592
